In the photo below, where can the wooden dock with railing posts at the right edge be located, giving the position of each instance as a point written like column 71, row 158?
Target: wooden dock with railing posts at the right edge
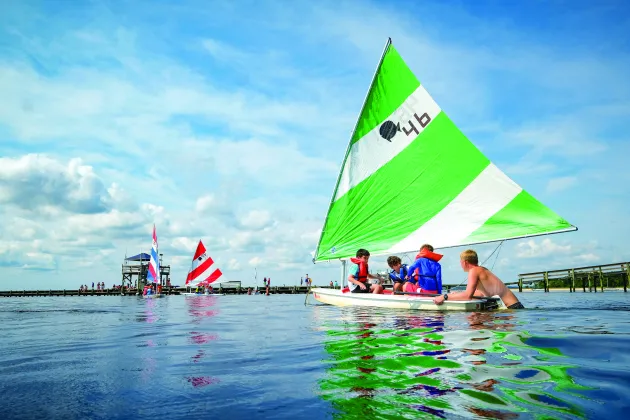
column 592, row 277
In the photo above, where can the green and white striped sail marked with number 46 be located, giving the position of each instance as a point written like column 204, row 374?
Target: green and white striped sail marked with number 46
column 410, row 176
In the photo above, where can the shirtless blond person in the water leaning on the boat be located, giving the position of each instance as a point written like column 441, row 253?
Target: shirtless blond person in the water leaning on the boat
column 481, row 281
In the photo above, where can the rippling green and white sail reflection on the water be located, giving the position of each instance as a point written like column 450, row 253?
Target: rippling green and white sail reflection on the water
column 411, row 366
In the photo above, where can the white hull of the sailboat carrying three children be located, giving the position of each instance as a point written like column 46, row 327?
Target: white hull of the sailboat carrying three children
column 422, row 303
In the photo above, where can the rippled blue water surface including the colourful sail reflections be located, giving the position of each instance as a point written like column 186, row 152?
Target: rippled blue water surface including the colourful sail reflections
column 272, row 357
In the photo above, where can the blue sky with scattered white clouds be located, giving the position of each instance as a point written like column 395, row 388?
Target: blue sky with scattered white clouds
column 228, row 122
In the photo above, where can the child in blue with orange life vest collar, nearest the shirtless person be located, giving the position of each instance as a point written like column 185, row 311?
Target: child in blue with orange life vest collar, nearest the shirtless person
column 425, row 274
